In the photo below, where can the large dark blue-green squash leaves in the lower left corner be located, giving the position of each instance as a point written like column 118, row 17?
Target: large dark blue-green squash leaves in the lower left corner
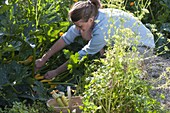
column 17, row 84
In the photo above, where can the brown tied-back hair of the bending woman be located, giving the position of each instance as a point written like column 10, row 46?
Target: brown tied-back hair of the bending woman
column 84, row 10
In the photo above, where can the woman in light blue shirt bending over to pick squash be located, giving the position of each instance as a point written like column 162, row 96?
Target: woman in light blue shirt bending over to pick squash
column 92, row 24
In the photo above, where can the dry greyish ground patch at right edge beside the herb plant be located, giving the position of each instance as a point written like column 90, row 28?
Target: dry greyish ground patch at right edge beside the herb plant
column 158, row 75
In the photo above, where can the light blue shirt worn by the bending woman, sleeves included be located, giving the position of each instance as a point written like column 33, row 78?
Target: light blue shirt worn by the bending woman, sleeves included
column 105, row 18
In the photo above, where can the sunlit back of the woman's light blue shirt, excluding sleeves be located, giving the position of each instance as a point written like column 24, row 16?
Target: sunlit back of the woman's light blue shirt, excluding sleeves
column 116, row 19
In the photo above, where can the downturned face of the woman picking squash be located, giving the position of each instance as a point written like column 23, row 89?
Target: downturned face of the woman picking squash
column 84, row 26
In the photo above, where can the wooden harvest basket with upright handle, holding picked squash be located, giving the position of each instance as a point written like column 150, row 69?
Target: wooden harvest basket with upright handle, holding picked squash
column 74, row 103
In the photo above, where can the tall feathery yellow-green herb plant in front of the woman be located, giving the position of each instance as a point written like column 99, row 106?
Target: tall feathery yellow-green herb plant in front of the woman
column 115, row 84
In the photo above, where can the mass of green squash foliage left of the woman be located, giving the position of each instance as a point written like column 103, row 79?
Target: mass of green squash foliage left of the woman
column 27, row 28
